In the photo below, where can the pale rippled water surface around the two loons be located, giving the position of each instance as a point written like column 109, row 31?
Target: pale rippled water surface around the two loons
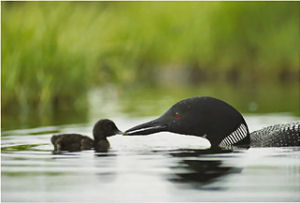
column 160, row 167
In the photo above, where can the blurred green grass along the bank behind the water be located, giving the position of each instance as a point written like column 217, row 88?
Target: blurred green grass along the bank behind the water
column 54, row 52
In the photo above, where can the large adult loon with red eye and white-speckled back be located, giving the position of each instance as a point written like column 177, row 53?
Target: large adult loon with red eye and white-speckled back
column 218, row 122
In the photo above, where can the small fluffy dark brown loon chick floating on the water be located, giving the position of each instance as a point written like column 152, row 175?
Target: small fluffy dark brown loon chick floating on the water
column 76, row 142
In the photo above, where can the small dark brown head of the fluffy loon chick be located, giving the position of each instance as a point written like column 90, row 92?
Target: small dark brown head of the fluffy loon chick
column 105, row 128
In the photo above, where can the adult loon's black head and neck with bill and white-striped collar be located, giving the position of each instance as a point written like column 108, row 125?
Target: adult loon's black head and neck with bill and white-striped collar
column 200, row 116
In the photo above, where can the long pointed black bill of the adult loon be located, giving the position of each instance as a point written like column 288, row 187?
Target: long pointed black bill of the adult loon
column 147, row 128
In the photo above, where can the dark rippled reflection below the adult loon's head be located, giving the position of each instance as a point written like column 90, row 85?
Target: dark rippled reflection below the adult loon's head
column 198, row 168
